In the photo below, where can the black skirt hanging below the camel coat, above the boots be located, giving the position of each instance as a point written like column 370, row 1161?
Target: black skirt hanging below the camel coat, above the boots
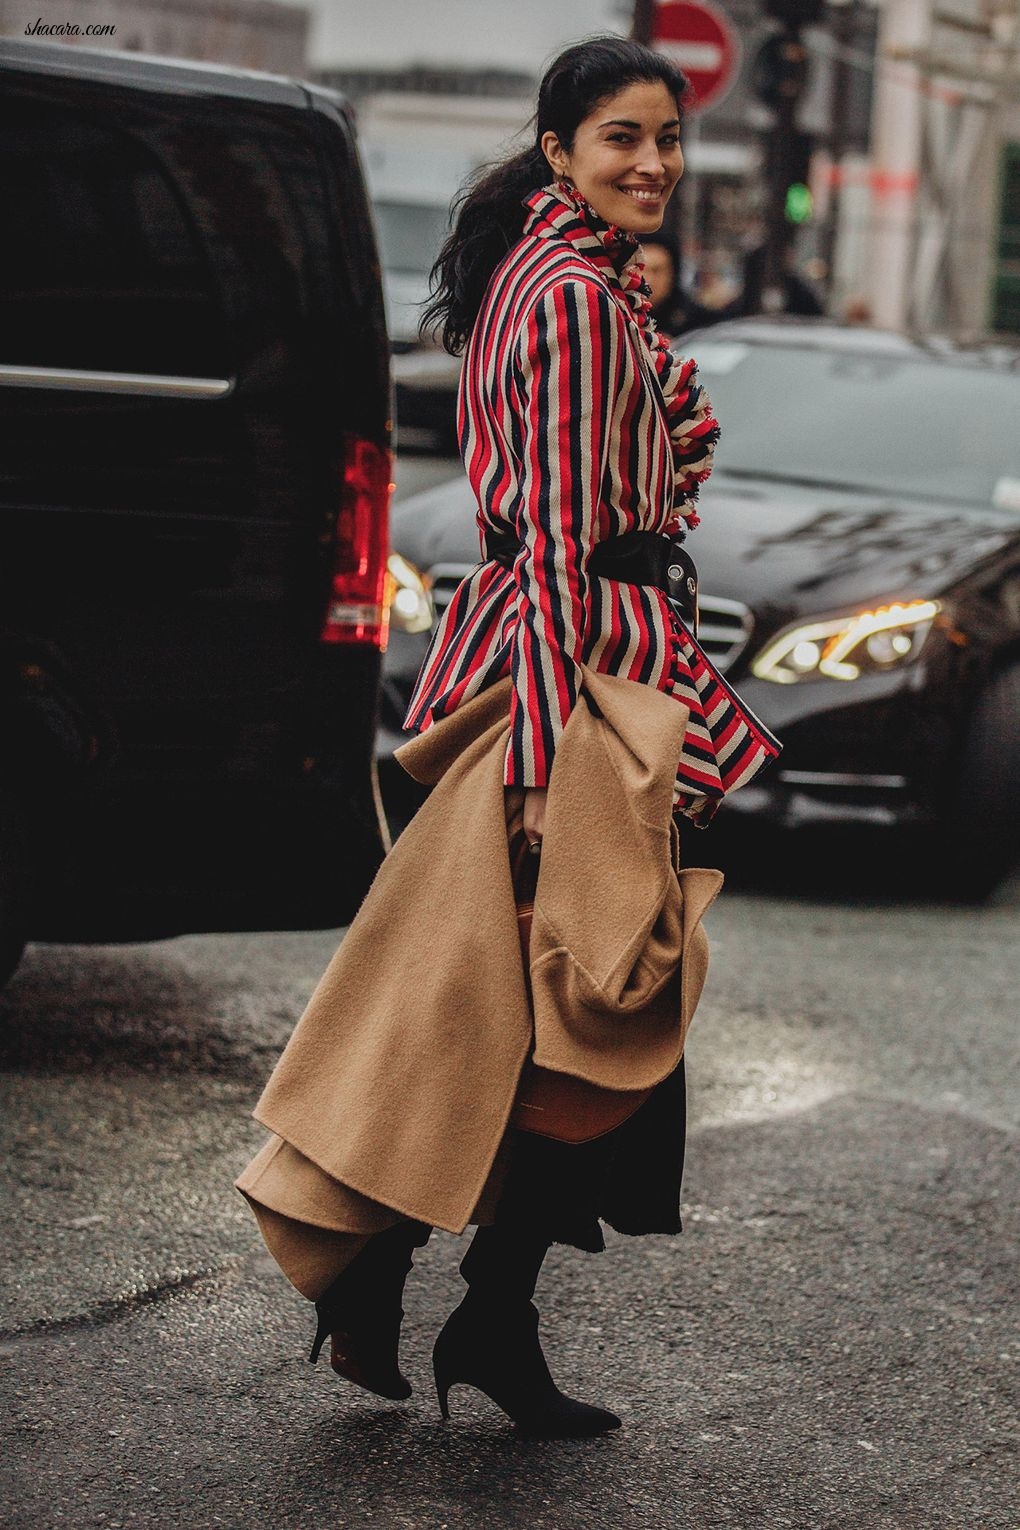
column 629, row 1179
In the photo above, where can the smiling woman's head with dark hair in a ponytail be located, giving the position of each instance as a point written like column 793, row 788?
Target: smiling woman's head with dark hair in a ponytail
column 608, row 123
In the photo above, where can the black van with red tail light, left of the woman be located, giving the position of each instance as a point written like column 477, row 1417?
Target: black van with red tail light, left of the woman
column 195, row 483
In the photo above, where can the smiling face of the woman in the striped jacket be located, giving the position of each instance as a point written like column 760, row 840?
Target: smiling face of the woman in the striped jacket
column 626, row 157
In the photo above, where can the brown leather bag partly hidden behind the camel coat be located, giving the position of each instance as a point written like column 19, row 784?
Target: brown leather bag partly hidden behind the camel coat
column 557, row 1104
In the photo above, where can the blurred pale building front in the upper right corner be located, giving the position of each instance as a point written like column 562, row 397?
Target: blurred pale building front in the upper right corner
column 946, row 174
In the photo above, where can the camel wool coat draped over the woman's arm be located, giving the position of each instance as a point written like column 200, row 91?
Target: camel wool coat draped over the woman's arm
column 398, row 1082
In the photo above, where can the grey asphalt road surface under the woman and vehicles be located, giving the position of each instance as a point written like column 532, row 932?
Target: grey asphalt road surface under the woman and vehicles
column 831, row 1344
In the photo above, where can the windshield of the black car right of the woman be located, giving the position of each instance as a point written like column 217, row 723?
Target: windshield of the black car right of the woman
column 877, row 423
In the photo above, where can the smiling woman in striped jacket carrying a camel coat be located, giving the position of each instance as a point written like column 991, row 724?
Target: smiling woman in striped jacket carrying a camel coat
column 397, row 1104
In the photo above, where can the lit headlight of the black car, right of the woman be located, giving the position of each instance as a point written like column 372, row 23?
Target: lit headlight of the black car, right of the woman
column 845, row 648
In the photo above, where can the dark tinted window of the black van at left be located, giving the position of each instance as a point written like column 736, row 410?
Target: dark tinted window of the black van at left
column 102, row 269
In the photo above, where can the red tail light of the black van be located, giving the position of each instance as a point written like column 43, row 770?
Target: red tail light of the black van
column 359, row 610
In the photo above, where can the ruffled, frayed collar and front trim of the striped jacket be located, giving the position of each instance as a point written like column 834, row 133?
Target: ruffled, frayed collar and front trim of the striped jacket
column 560, row 212
